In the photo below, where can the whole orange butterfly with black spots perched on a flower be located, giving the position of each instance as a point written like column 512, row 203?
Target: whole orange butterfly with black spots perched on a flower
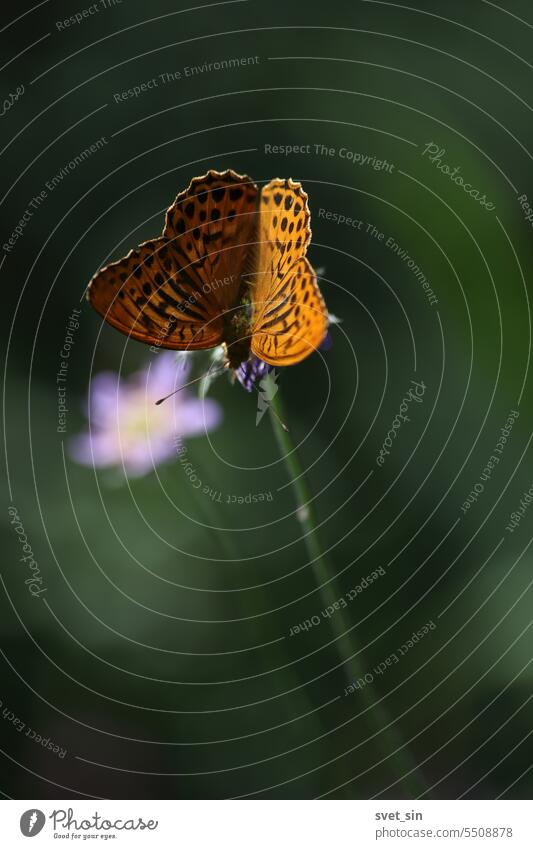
column 230, row 268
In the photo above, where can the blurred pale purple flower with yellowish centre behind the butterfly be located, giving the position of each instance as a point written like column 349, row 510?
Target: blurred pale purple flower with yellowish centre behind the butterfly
column 127, row 429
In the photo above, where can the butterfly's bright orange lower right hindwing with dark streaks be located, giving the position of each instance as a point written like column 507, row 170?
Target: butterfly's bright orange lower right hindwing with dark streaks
column 293, row 321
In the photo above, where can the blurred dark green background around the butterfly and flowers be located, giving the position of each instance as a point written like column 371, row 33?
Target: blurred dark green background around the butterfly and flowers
column 162, row 660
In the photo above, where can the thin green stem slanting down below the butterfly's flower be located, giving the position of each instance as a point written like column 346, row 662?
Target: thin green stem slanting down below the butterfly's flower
column 385, row 729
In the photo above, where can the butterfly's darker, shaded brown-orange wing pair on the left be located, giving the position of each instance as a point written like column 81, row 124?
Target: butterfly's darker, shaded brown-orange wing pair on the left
column 172, row 291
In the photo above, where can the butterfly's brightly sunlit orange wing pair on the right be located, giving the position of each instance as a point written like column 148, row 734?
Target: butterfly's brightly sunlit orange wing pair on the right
column 289, row 314
